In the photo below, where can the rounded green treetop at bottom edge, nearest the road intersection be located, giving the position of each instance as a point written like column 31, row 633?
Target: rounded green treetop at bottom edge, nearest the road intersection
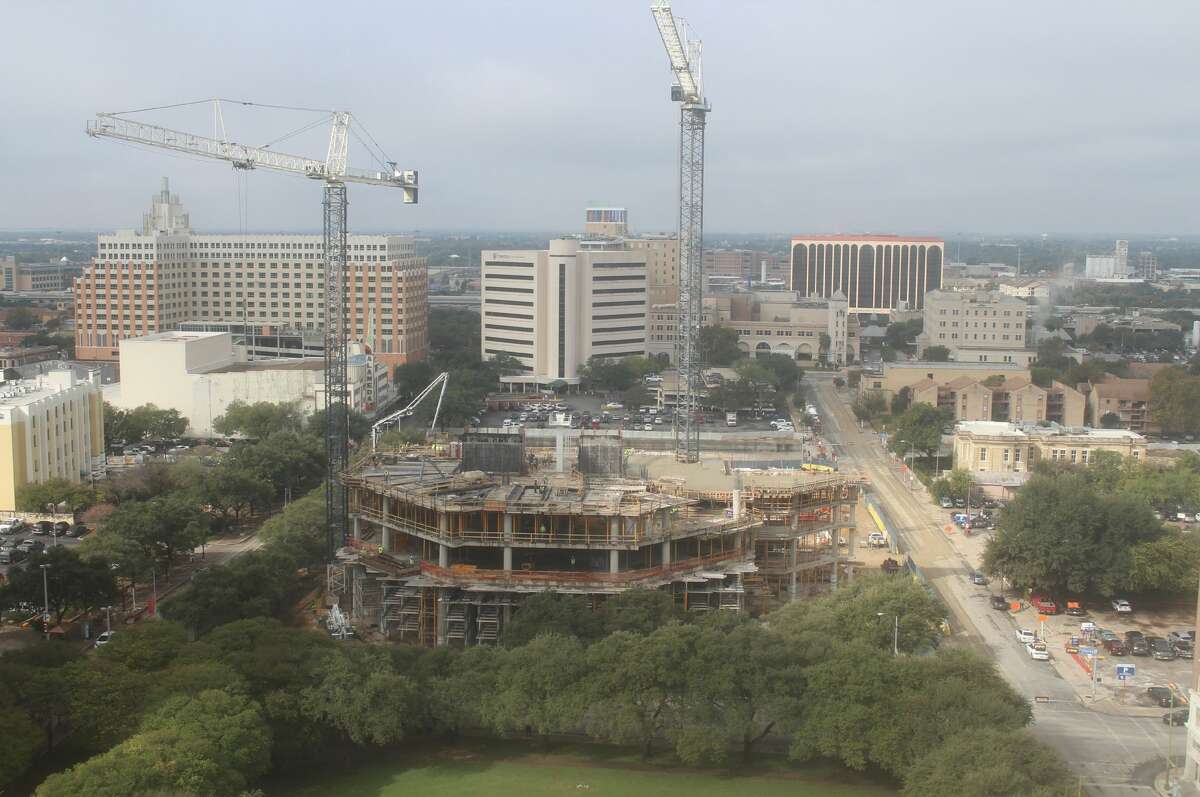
column 989, row 763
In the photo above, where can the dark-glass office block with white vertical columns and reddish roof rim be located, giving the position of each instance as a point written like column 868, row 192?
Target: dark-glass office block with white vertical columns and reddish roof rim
column 877, row 274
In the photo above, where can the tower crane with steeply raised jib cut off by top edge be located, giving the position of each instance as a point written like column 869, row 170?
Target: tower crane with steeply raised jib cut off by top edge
column 688, row 91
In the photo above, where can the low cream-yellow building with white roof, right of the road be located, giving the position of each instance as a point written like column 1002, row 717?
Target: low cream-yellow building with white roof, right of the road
column 997, row 447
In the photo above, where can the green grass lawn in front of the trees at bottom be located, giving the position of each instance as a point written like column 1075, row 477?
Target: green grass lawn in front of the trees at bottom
column 476, row 769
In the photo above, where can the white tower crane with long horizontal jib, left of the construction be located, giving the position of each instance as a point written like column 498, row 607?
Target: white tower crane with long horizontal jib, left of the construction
column 335, row 173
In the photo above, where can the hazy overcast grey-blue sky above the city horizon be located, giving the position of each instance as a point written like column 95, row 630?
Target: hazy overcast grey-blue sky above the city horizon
column 829, row 116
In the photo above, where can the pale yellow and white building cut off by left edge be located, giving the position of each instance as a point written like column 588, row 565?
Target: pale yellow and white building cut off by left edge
column 51, row 428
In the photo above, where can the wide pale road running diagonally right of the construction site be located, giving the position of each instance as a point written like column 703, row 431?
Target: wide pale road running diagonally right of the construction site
column 1114, row 756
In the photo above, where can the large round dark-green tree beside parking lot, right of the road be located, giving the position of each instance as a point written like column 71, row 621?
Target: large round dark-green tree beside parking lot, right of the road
column 1061, row 535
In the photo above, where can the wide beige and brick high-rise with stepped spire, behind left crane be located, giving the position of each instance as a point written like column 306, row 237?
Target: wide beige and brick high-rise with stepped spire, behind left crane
column 165, row 275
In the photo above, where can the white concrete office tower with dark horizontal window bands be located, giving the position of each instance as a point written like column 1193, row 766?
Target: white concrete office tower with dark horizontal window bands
column 555, row 309
